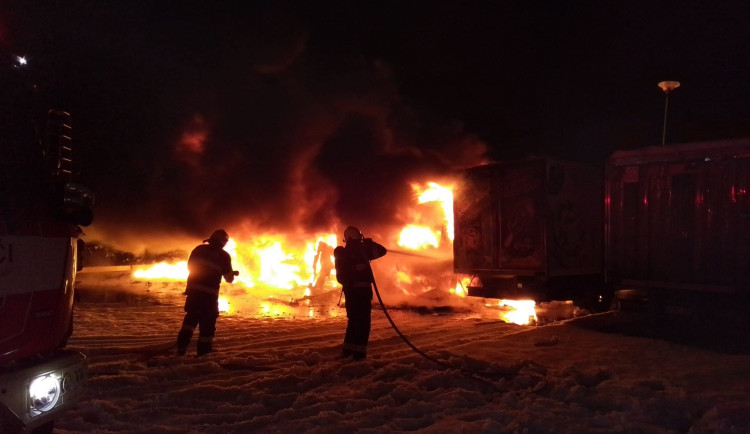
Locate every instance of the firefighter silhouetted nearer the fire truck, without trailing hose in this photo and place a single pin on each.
(208, 263)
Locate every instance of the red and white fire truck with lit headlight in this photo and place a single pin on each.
(41, 212)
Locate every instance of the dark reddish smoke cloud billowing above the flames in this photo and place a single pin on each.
(280, 136)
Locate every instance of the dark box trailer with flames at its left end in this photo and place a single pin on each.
(531, 229)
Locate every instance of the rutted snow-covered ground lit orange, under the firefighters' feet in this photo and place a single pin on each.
(280, 372)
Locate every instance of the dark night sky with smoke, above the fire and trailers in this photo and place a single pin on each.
(310, 114)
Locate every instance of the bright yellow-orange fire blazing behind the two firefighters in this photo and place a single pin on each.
(286, 274)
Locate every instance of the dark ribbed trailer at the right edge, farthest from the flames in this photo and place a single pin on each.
(677, 231)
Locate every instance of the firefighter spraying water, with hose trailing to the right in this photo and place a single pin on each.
(353, 272)
